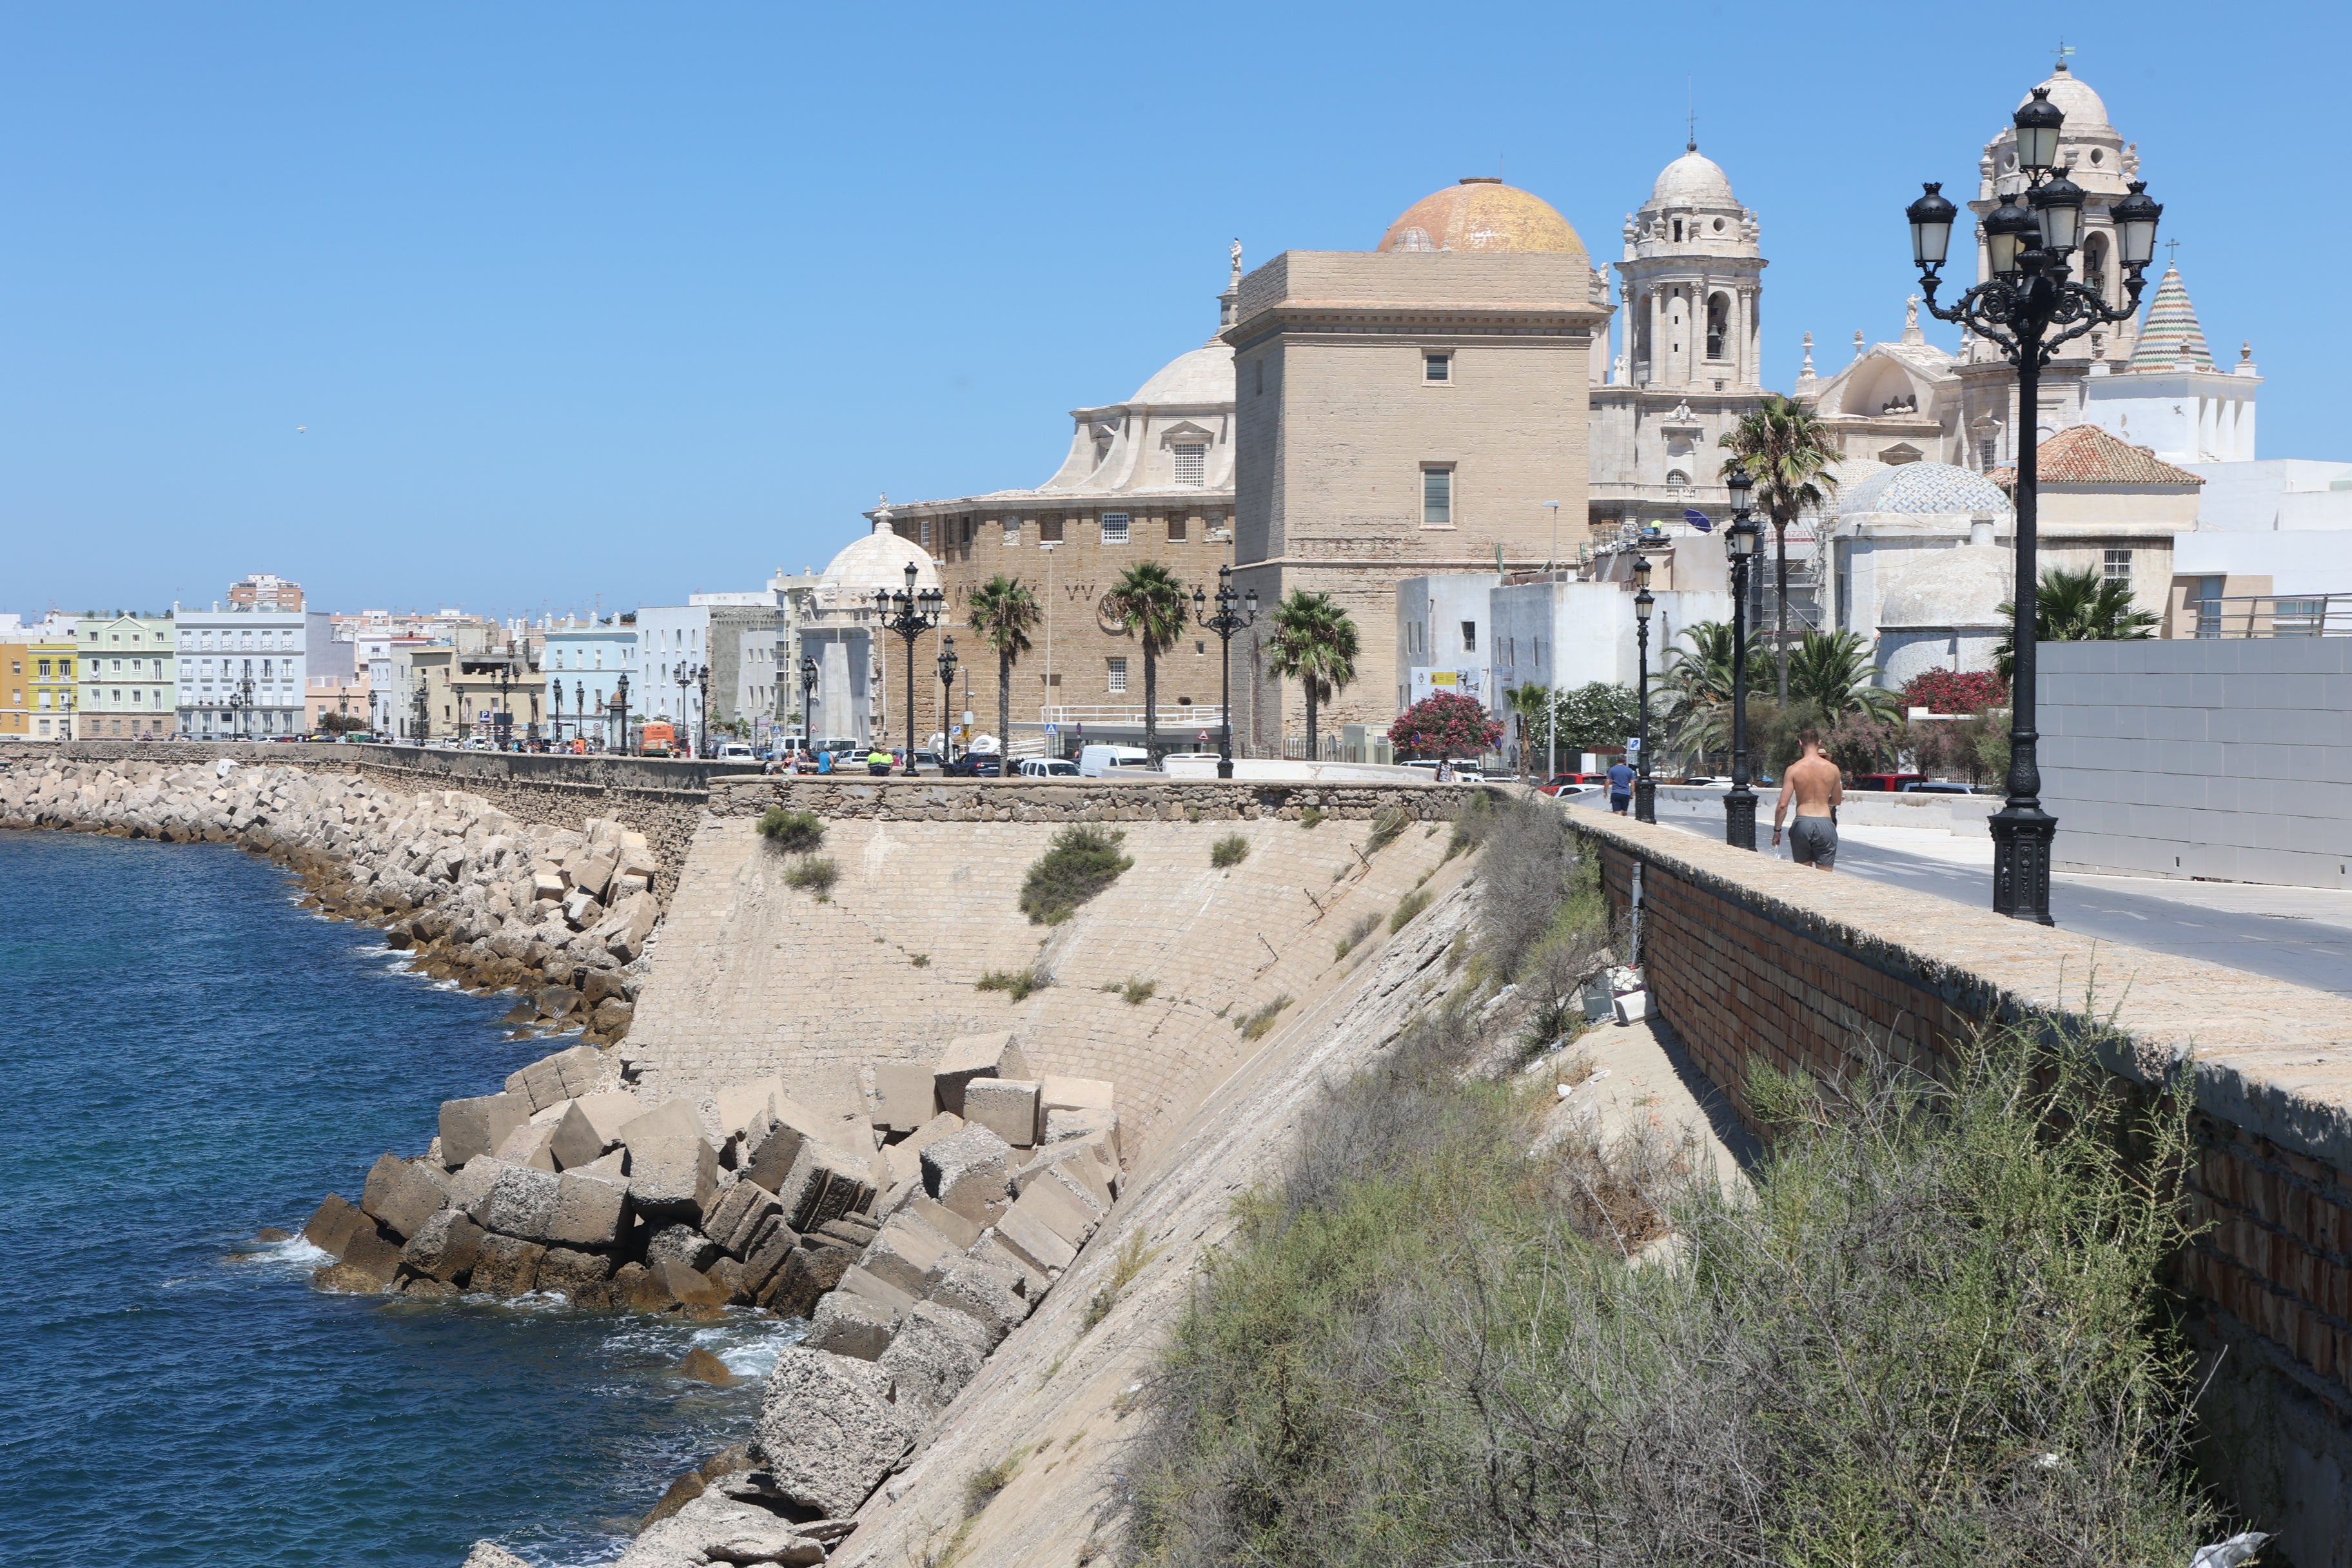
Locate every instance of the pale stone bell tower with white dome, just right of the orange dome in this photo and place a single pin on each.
(1692, 281)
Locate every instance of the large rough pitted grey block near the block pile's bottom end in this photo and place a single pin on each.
(831, 1430)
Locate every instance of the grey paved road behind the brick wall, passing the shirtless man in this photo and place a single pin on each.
(2287, 934)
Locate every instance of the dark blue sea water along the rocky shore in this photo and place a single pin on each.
(192, 1059)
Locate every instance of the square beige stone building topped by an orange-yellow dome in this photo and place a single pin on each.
(1410, 410)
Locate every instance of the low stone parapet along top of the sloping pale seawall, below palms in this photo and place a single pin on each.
(1081, 800)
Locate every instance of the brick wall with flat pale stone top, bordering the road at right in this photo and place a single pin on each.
(1751, 958)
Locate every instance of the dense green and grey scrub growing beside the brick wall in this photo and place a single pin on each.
(1927, 1332)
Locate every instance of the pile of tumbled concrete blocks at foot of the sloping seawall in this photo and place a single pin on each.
(911, 1273)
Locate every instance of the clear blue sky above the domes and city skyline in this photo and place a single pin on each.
(608, 304)
